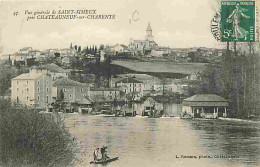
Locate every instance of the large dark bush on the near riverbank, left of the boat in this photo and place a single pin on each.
(32, 139)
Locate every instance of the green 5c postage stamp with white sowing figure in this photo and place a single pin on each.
(238, 21)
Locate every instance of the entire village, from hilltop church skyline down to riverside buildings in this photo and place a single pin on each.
(77, 79)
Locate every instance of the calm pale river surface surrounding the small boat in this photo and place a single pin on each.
(156, 142)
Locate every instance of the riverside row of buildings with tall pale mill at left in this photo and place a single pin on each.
(49, 85)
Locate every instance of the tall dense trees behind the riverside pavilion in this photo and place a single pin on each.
(235, 78)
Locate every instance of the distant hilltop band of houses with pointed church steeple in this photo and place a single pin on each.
(146, 49)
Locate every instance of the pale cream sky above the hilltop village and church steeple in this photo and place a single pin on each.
(175, 23)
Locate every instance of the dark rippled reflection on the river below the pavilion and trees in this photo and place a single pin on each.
(230, 138)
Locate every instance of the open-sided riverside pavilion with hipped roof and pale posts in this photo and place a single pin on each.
(204, 106)
